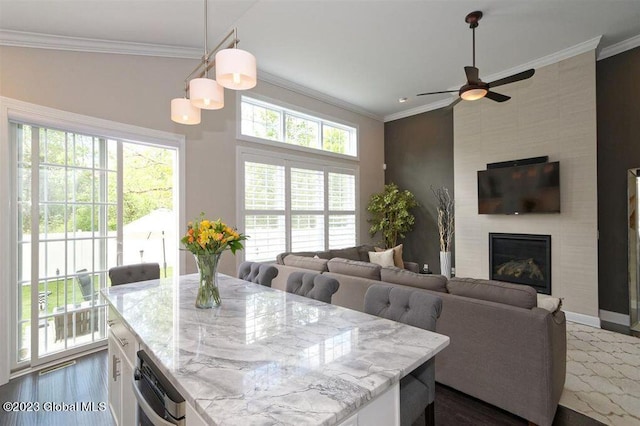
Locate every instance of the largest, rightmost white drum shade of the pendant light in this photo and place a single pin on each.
(236, 69)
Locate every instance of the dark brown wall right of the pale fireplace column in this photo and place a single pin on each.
(618, 91)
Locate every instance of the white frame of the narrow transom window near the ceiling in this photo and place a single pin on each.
(297, 112)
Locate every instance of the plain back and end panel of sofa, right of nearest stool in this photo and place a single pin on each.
(510, 357)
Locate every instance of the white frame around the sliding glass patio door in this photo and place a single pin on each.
(15, 110)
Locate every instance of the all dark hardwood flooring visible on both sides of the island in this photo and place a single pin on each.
(86, 381)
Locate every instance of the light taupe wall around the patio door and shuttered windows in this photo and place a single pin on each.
(137, 90)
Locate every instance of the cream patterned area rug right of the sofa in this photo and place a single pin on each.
(603, 375)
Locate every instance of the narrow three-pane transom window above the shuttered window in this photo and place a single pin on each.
(262, 121)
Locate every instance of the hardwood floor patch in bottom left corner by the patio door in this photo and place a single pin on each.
(78, 386)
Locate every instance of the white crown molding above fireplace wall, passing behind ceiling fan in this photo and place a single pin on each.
(553, 58)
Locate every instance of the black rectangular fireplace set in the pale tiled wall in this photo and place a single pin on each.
(521, 259)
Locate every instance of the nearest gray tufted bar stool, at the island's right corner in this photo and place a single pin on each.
(419, 309)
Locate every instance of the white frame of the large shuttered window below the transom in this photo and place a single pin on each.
(289, 161)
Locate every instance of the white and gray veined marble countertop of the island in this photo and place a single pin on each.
(267, 357)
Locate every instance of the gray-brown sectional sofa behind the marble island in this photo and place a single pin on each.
(504, 349)
